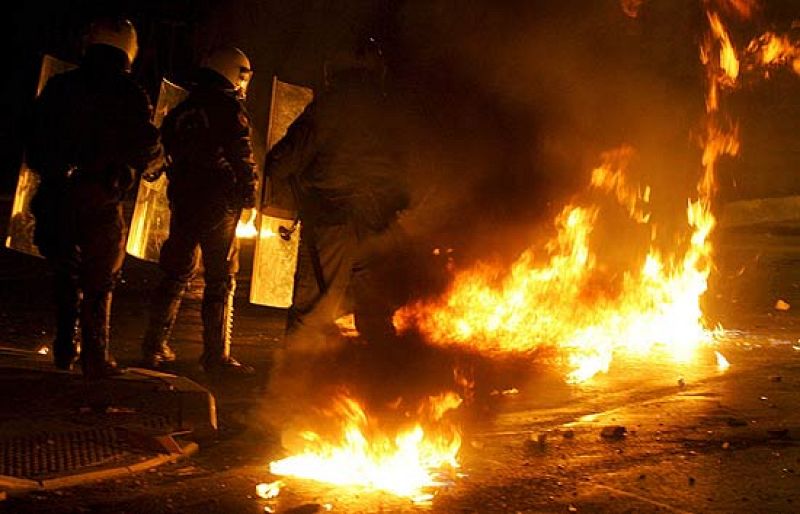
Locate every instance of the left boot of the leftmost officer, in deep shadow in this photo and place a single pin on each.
(65, 345)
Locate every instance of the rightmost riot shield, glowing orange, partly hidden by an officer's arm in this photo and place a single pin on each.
(275, 257)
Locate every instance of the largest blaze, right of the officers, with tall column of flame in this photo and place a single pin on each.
(567, 301)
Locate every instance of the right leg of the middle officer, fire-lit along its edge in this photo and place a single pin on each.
(220, 251)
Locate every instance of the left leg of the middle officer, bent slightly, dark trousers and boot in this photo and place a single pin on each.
(178, 262)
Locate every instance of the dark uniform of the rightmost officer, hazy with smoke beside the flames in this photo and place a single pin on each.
(340, 161)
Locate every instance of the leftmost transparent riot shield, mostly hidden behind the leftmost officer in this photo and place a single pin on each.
(21, 223)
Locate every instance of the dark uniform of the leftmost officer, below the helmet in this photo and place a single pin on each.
(90, 131)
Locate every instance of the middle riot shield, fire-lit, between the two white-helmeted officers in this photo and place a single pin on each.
(150, 221)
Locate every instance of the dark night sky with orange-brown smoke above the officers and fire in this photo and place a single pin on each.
(508, 103)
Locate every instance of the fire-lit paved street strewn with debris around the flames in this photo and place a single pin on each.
(696, 439)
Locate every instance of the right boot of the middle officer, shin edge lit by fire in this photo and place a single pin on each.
(217, 314)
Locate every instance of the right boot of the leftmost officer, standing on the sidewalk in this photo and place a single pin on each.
(95, 316)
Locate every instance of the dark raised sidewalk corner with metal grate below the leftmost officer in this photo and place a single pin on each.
(57, 430)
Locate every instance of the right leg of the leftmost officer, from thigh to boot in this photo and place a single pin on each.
(101, 232)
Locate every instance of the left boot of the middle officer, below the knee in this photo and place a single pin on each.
(164, 307)
